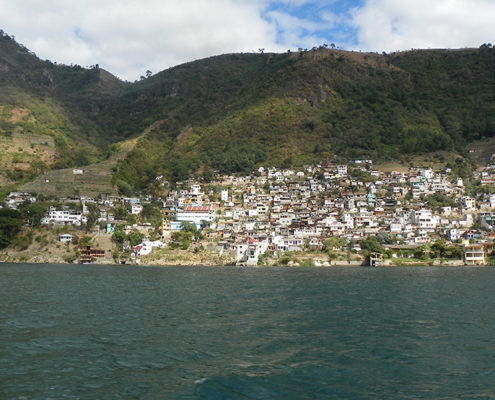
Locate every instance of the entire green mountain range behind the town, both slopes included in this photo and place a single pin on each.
(233, 112)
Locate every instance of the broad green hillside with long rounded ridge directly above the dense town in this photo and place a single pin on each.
(233, 112)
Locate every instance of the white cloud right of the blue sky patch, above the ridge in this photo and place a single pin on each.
(389, 25)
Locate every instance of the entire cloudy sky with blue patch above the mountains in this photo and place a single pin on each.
(128, 37)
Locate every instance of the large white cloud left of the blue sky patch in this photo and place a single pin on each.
(129, 36)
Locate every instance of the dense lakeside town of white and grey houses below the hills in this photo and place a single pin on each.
(326, 214)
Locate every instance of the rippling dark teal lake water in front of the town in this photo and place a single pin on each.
(120, 332)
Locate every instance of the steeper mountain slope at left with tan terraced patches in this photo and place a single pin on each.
(47, 113)
